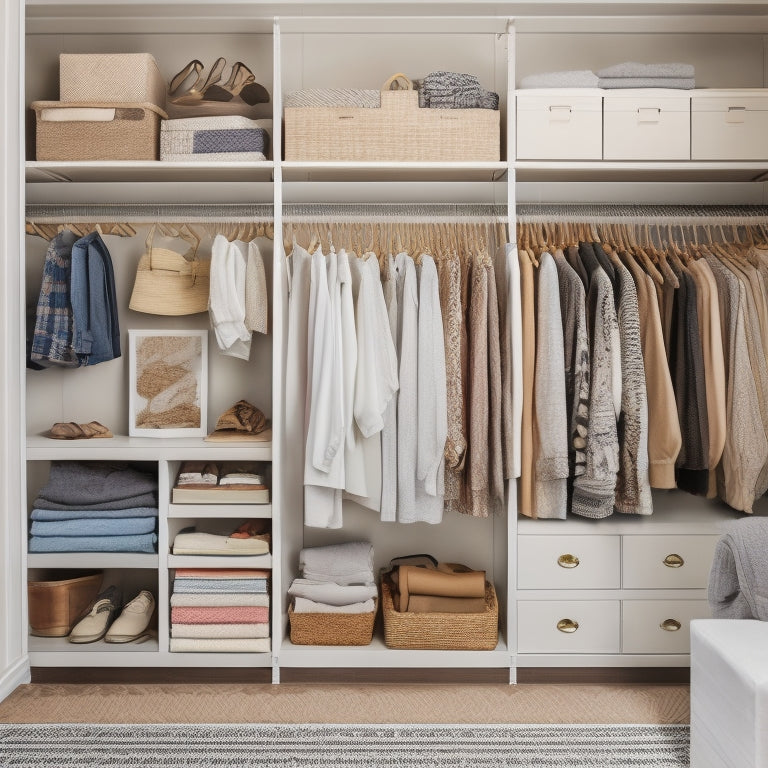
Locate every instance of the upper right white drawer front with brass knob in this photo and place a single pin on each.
(667, 562)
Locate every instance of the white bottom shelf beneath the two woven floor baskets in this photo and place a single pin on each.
(378, 655)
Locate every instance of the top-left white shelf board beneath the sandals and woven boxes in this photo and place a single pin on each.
(95, 171)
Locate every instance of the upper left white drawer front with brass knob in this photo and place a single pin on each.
(568, 562)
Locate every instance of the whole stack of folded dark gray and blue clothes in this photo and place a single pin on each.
(95, 506)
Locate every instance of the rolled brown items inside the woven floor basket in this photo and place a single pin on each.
(422, 585)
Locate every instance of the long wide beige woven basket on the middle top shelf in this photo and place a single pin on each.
(399, 131)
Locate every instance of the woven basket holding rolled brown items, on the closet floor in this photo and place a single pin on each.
(441, 631)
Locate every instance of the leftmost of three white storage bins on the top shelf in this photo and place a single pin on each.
(560, 124)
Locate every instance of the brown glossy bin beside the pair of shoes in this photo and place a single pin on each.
(55, 606)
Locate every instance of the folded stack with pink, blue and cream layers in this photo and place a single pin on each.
(220, 610)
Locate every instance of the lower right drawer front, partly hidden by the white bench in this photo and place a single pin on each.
(659, 626)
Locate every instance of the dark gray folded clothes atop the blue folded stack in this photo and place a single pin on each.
(91, 482)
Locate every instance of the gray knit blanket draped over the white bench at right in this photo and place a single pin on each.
(738, 581)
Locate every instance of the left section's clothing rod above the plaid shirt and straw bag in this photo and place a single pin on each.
(202, 213)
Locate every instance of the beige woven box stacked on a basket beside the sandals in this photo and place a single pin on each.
(127, 77)
